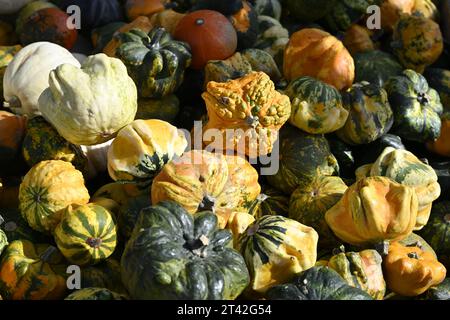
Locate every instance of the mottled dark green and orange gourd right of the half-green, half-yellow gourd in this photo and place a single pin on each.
(370, 114)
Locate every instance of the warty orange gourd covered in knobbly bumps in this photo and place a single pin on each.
(251, 107)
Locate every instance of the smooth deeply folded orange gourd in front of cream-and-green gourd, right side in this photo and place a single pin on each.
(355, 219)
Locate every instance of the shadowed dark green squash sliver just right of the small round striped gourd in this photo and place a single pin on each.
(129, 213)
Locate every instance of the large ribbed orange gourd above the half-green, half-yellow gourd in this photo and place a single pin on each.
(316, 53)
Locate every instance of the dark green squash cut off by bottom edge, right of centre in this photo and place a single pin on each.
(317, 283)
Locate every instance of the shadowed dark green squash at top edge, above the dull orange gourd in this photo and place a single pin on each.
(347, 12)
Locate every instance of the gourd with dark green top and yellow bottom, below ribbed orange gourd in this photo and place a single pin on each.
(316, 106)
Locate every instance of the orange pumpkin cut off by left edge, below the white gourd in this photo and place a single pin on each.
(12, 132)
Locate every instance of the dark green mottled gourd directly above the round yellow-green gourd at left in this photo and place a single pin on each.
(43, 142)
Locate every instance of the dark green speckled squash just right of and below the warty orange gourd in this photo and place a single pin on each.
(303, 156)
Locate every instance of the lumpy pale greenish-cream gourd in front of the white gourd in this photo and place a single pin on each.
(90, 105)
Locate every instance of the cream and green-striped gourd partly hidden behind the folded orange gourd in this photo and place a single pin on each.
(405, 168)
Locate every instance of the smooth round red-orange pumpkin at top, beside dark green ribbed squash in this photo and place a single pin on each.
(210, 35)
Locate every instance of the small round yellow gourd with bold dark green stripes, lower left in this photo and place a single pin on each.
(86, 234)
